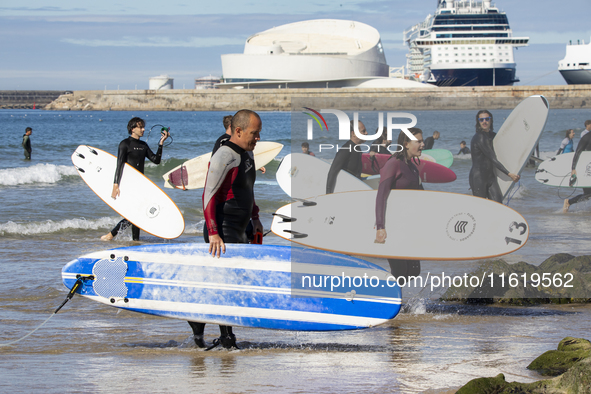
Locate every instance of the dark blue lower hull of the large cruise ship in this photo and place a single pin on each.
(474, 77)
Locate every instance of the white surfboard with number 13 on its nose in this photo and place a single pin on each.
(420, 225)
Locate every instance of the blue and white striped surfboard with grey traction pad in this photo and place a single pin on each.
(265, 286)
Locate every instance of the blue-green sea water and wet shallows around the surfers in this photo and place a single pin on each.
(49, 216)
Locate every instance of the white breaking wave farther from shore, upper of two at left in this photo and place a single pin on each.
(39, 173)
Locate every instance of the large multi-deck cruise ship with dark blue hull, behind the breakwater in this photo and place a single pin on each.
(466, 43)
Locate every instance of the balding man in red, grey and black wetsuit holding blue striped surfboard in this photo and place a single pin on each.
(228, 199)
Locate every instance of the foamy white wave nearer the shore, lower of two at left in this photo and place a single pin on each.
(49, 226)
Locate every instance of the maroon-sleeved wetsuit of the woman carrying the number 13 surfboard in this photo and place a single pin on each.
(397, 174)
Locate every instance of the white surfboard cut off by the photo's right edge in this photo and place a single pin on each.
(556, 171)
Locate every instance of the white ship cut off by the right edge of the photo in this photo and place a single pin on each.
(576, 65)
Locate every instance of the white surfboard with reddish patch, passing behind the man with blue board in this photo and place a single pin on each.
(192, 173)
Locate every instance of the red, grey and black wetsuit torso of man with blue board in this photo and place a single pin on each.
(228, 197)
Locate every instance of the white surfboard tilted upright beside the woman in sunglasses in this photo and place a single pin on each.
(518, 137)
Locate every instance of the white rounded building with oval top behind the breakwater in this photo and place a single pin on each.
(316, 53)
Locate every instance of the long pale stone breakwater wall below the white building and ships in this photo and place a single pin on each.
(430, 98)
